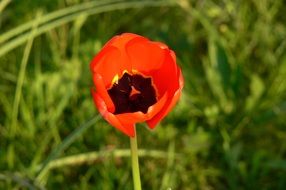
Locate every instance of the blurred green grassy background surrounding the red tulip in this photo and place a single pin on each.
(227, 131)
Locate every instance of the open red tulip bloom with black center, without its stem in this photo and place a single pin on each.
(136, 80)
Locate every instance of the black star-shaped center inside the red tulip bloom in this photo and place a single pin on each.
(132, 93)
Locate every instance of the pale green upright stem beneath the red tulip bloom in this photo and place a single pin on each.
(135, 163)
